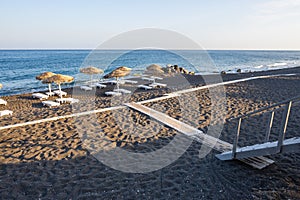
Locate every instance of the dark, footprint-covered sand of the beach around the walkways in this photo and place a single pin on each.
(55, 160)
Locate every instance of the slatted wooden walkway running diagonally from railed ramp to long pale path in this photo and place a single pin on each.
(258, 162)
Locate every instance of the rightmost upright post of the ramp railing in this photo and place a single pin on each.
(284, 122)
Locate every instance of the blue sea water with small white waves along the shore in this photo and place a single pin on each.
(19, 67)
